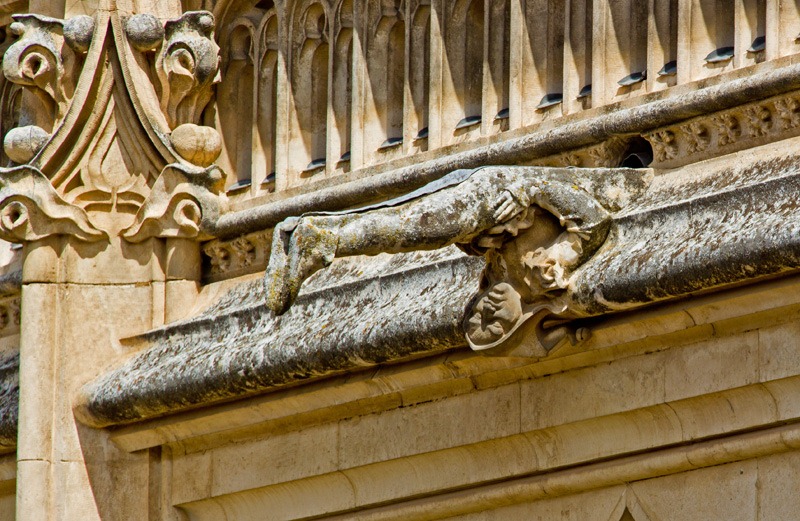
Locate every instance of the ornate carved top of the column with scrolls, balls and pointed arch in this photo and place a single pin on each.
(97, 161)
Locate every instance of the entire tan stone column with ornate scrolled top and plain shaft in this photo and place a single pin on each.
(110, 187)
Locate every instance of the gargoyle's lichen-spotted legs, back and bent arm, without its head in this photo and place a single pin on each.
(456, 214)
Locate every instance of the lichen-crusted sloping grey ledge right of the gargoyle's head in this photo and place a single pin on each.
(731, 225)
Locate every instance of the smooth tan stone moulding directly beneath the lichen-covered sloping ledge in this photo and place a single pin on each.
(719, 316)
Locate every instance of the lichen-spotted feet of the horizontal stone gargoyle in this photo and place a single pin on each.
(299, 249)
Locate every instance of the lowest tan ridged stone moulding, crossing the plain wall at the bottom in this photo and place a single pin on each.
(654, 441)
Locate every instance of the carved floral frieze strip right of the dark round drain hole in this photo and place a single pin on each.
(727, 131)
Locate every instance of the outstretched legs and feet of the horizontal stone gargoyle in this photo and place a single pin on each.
(302, 246)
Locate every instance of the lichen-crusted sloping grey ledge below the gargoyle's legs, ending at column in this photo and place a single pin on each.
(396, 307)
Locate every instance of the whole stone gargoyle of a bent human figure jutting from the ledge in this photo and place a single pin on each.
(535, 226)
